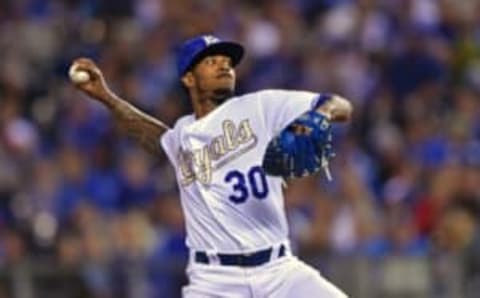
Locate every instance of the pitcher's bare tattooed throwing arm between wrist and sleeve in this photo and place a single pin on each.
(141, 127)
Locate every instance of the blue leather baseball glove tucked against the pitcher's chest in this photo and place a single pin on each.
(302, 149)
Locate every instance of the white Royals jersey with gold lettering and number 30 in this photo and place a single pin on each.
(229, 204)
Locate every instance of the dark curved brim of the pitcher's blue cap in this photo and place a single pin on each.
(230, 49)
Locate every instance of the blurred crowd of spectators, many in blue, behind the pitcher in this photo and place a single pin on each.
(407, 171)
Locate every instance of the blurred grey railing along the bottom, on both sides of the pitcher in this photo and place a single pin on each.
(360, 277)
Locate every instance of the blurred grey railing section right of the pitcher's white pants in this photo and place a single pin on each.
(394, 277)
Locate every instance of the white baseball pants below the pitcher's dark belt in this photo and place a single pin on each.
(285, 277)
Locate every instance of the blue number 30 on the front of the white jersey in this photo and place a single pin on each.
(244, 185)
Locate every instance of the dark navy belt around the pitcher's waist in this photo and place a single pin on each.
(243, 260)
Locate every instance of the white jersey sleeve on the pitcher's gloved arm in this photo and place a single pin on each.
(281, 107)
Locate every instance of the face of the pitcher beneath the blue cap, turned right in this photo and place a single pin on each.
(214, 74)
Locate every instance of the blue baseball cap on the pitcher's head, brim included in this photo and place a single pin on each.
(197, 48)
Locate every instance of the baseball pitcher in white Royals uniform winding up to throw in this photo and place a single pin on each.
(230, 157)
